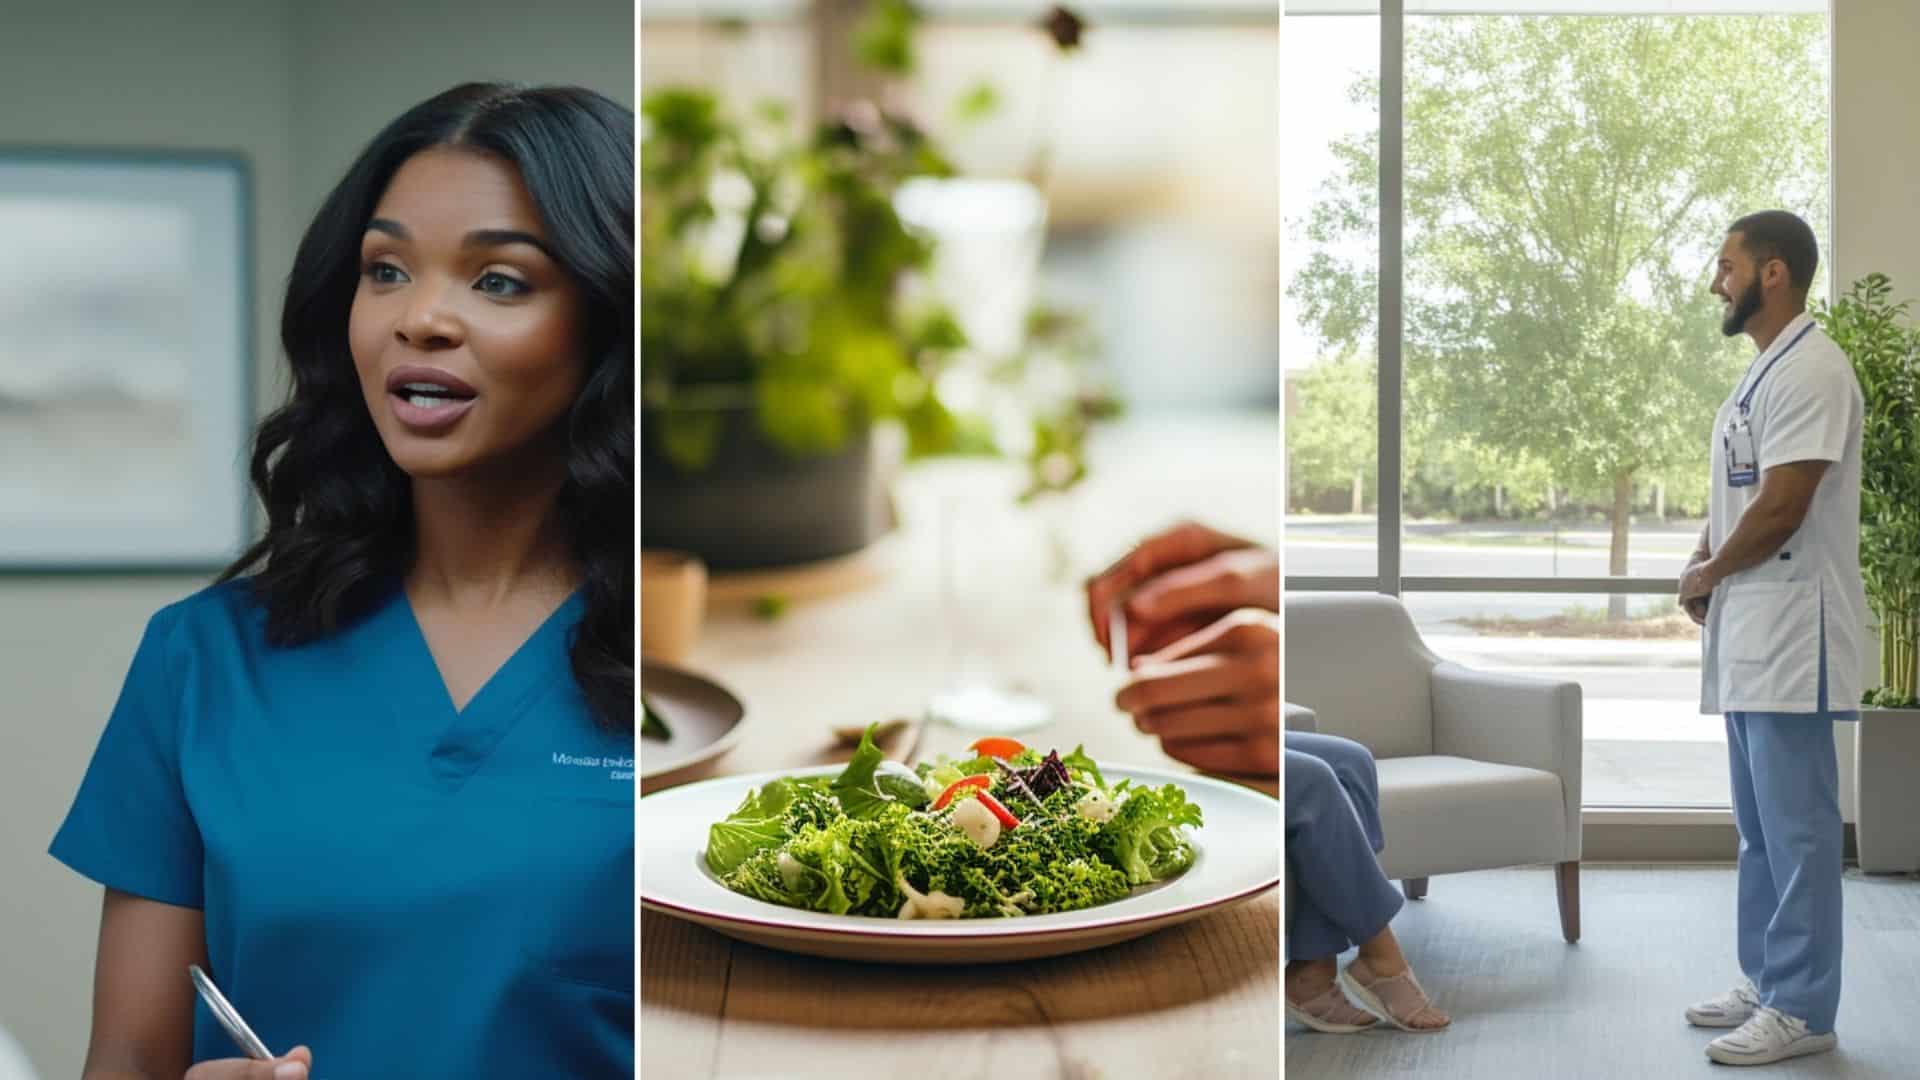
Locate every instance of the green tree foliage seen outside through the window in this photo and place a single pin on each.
(1568, 182)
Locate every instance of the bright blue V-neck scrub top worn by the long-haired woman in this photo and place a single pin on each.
(406, 889)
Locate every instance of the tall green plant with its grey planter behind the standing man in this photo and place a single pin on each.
(1886, 360)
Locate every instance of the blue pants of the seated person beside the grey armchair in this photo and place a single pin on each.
(1333, 833)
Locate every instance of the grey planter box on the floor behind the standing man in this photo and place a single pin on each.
(1886, 818)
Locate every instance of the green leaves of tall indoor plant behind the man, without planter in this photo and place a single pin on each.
(1886, 358)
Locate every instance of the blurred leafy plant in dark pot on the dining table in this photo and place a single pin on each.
(788, 314)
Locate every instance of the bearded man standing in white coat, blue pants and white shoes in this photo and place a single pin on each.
(1777, 585)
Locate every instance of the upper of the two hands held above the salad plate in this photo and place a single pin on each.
(1180, 581)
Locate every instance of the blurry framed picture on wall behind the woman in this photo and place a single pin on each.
(126, 360)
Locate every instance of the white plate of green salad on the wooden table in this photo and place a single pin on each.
(1009, 852)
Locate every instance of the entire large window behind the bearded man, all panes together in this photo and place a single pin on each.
(1570, 174)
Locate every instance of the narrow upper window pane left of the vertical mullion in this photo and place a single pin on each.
(1330, 126)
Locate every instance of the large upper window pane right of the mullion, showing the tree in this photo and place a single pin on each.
(1570, 182)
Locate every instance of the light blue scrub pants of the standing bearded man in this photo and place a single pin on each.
(1787, 804)
